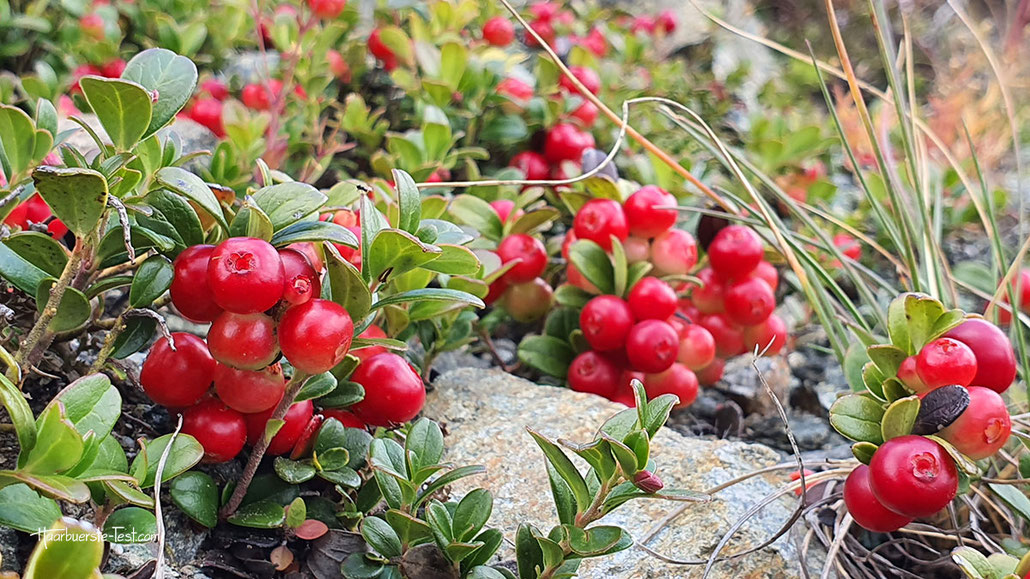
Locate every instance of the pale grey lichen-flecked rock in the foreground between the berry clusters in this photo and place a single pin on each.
(486, 415)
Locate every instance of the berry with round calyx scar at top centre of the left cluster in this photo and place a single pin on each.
(246, 276)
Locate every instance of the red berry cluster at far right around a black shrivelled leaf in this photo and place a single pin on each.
(913, 476)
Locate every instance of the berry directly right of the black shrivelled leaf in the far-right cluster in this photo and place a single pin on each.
(984, 428)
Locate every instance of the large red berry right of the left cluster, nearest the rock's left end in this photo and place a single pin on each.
(394, 392)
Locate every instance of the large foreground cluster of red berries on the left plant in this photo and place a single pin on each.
(263, 302)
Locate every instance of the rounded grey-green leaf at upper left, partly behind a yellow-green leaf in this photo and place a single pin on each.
(173, 77)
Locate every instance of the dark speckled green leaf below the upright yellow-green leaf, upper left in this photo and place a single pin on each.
(79, 197)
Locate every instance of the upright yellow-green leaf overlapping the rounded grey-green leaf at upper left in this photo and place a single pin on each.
(123, 108)
